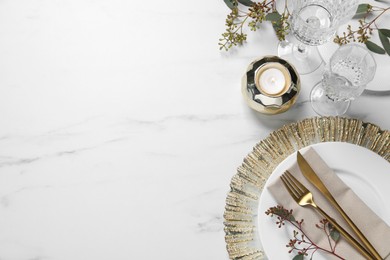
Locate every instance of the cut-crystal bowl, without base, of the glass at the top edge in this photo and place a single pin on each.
(314, 22)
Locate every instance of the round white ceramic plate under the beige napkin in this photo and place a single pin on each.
(364, 171)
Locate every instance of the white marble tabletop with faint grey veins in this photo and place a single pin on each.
(122, 125)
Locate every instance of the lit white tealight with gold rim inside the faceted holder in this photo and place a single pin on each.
(273, 79)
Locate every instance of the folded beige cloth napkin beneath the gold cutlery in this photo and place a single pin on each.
(375, 230)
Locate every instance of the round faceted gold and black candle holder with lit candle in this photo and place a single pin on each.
(270, 85)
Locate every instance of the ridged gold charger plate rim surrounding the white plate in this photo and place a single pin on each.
(241, 225)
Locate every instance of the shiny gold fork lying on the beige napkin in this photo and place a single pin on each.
(305, 198)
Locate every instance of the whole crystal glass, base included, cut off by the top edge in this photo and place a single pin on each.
(312, 23)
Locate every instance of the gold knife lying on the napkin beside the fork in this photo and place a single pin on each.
(310, 174)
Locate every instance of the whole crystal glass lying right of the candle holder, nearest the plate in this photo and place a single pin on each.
(349, 70)
